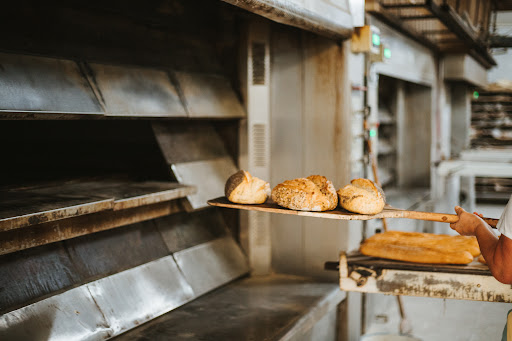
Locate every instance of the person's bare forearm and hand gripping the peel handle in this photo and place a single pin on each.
(496, 251)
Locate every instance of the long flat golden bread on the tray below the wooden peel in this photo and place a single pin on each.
(421, 247)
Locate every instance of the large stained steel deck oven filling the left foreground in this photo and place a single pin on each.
(119, 120)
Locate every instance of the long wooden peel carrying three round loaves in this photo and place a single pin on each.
(341, 214)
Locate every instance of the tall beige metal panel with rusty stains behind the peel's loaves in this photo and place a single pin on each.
(310, 134)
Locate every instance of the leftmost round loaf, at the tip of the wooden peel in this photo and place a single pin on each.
(243, 188)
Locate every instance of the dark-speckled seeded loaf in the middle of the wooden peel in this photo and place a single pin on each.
(314, 193)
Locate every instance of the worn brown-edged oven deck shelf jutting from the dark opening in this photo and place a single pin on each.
(23, 207)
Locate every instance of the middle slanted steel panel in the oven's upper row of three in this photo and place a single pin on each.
(138, 92)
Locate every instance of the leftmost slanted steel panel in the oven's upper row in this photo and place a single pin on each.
(37, 84)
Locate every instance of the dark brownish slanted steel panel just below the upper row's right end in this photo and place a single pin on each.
(182, 142)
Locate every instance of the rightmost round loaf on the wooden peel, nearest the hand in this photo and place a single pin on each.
(362, 196)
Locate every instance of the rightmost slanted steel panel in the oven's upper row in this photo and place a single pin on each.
(209, 96)
